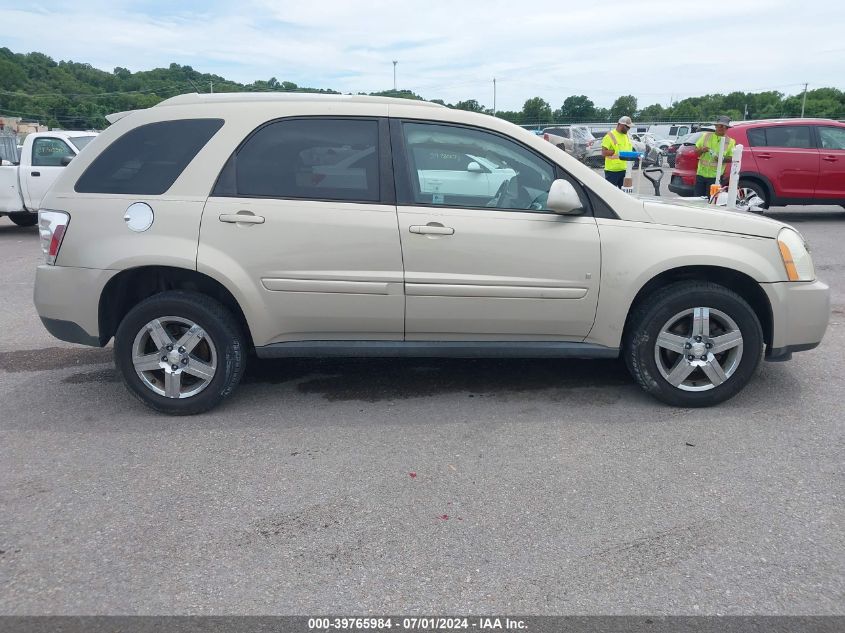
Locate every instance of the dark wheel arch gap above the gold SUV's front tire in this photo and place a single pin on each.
(740, 283)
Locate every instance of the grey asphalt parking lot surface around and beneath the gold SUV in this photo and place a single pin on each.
(419, 486)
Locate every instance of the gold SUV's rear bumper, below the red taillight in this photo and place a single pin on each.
(68, 299)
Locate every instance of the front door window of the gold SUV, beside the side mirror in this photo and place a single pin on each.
(486, 170)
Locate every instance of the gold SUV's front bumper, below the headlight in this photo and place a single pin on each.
(800, 314)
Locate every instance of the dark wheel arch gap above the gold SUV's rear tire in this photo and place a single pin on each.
(129, 287)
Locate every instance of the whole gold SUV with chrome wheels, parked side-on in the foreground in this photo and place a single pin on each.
(208, 226)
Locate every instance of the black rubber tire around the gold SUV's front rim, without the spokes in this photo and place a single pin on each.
(646, 323)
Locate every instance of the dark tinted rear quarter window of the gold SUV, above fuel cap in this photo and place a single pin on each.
(148, 159)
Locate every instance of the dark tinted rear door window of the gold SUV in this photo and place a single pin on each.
(320, 159)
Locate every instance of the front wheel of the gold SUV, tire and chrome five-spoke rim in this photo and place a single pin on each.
(693, 344)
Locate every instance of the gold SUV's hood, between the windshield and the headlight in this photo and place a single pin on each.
(699, 215)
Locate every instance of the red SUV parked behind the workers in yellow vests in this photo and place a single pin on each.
(784, 161)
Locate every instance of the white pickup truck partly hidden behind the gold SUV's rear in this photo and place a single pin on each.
(44, 155)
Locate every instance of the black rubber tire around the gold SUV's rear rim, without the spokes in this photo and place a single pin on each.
(222, 338)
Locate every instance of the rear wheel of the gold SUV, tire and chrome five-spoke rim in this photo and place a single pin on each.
(179, 352)
